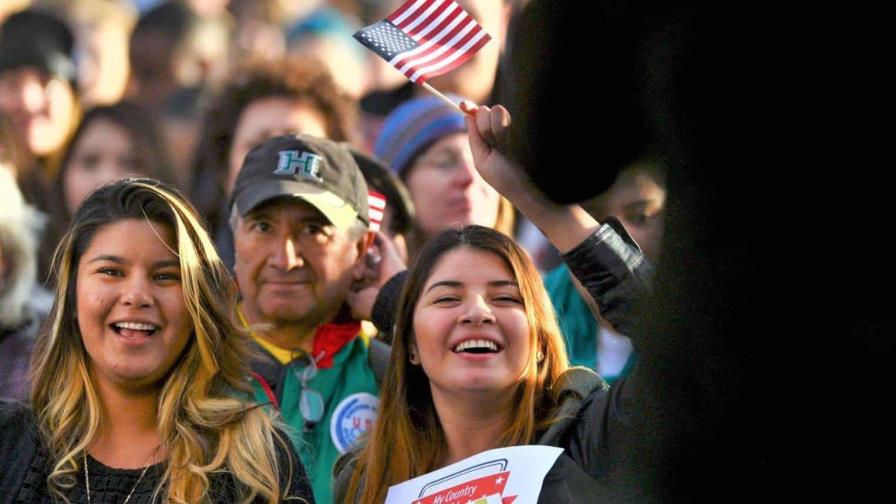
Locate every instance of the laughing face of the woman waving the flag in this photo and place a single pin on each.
(471, 332)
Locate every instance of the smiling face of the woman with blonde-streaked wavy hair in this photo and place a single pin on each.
(130, 304)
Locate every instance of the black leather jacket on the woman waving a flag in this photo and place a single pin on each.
(590, 423)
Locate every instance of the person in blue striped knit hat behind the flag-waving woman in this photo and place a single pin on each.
(424, 142)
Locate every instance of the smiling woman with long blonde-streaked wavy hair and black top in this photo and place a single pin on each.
(139, 388)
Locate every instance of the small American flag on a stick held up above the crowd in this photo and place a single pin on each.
(425, 38)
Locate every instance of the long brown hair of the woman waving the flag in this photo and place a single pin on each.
(408, 440)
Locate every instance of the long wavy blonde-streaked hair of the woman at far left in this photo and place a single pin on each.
(203, 423)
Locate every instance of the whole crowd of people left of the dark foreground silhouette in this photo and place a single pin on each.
(200, 301)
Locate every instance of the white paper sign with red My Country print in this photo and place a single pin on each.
(500, 476)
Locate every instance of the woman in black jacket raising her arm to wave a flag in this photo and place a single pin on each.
(478, 361)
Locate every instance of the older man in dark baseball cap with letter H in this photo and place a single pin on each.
(300, 222)
